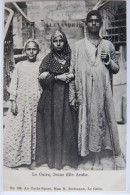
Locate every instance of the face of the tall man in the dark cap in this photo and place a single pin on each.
(94, 24)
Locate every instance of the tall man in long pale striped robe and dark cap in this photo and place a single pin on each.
(93, 61)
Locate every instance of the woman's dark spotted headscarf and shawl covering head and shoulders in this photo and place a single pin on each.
(52, 61)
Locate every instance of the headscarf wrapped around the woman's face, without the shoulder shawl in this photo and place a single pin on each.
(66, 51)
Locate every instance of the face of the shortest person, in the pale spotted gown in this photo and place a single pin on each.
(31, 51)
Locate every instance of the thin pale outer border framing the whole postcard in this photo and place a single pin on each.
(1, 114)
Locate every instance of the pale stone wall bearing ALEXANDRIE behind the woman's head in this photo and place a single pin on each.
(51, 15)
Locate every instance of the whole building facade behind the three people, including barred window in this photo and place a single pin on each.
(39, 19)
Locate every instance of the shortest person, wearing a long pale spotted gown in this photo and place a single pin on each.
(20, 129)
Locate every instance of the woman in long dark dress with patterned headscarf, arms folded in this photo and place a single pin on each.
(56, 122)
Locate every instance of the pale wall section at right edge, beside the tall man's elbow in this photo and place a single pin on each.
(120, 86)
